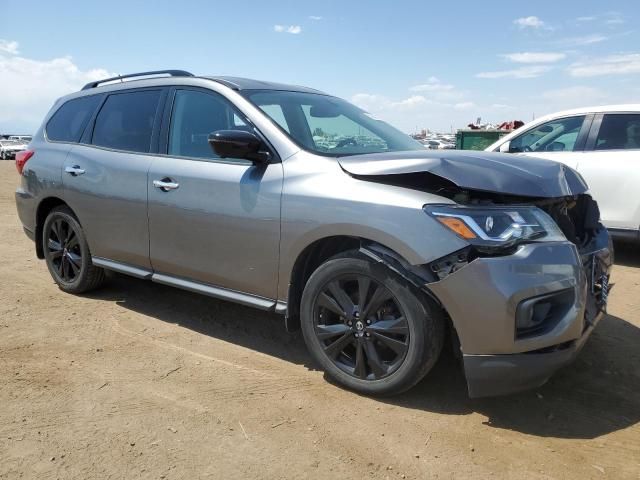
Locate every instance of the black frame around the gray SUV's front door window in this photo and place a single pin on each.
(163, 144)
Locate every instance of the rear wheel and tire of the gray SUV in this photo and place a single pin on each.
(67, 253)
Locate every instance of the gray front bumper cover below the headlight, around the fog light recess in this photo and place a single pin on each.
(500, 284)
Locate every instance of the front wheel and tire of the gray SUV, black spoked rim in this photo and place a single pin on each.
(369, 329)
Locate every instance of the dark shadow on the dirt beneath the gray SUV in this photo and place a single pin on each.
(598, 394)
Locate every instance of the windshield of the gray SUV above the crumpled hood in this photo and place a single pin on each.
(329, 125)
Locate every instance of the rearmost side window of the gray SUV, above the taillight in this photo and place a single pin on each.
(68, 123)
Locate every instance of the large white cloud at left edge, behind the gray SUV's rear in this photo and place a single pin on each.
(34, 85)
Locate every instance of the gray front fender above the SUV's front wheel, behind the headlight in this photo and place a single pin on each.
(320, 201)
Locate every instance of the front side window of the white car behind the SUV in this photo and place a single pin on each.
(559, 135)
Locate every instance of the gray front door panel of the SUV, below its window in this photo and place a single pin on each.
(221, 212)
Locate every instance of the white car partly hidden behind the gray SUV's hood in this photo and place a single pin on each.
(603, 144)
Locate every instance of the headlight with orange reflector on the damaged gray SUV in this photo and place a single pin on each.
(500, 226)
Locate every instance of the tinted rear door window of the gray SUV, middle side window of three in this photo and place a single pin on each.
(125, 121)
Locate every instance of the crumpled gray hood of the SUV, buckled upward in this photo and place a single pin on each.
(475, 170)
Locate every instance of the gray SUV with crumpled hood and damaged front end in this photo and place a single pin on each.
(291, 200)
